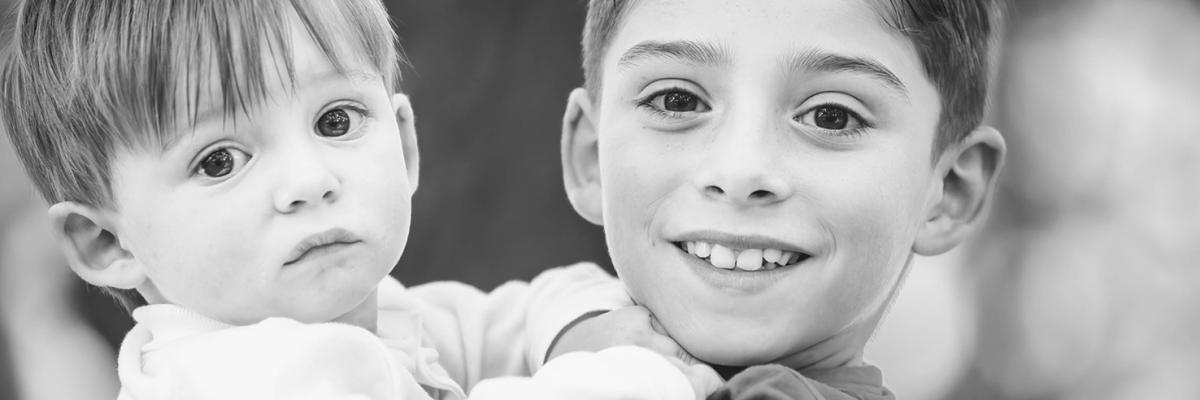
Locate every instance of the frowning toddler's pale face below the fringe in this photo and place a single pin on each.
(297, 208)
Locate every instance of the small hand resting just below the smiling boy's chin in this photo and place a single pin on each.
(628, 326)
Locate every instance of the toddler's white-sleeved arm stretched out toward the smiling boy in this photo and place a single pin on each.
(509, 331)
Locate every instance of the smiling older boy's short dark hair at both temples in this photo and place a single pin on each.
(952, 39)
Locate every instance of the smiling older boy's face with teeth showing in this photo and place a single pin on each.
(733, 135)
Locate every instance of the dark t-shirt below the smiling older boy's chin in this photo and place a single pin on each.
(766, 383)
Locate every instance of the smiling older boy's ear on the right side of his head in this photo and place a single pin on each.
(962, 198)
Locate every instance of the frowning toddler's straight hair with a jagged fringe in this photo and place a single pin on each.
(86, 77)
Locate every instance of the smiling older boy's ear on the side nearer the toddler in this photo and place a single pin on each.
(581, 158)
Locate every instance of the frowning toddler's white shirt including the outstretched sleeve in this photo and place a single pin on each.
(434, 342)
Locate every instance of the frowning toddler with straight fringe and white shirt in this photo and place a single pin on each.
(239, 174)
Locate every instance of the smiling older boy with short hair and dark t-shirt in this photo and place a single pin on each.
(765, 171)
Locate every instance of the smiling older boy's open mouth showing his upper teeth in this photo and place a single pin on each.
(747, 260)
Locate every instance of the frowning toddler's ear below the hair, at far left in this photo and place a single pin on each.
(93, 249)
